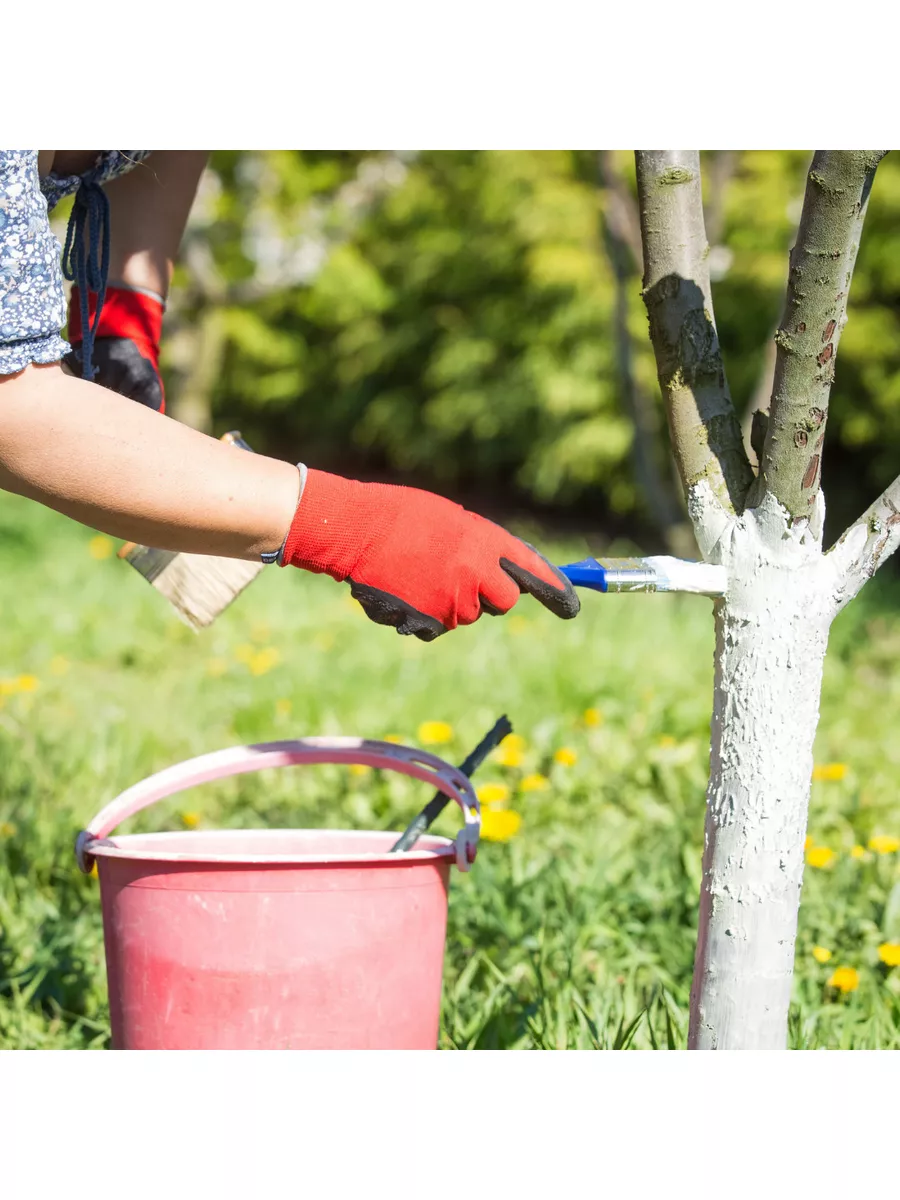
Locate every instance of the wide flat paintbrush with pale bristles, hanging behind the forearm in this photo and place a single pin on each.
(199, 587)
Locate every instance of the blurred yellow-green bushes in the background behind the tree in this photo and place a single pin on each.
(451, 317)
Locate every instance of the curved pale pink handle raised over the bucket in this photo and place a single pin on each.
(241, 760)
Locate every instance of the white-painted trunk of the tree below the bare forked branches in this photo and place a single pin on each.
(772, 632)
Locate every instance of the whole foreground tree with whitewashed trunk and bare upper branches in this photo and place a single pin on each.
(784, 592)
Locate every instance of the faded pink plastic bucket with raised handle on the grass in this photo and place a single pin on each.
(277, 940)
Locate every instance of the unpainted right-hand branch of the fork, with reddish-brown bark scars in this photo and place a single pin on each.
(823, 265)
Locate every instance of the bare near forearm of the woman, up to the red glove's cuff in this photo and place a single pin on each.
(118, 467)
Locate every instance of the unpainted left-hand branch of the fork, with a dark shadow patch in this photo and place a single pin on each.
(706, 435)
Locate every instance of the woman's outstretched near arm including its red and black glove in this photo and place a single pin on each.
(413, 560)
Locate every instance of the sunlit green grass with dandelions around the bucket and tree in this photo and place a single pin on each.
(579, 932)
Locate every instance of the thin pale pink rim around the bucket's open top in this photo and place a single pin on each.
(113, 848)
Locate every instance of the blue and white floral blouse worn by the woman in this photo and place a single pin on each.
(33, 304)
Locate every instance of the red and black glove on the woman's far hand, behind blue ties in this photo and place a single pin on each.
(127, 350)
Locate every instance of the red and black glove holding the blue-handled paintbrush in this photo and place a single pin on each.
(417, 561)
